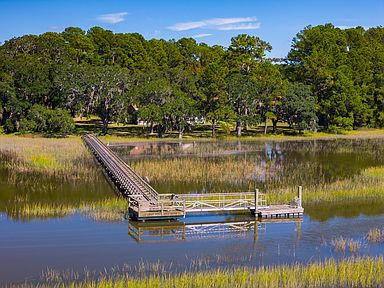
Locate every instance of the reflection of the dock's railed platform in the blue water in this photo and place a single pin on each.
(155, 232)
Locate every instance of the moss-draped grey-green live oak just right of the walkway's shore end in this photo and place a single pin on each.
(102, 90)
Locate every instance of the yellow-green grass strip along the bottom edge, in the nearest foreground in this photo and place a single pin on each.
(351, 272)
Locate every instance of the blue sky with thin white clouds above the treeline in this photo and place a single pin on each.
(211, 21)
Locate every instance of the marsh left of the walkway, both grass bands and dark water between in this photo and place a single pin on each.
(37, 170)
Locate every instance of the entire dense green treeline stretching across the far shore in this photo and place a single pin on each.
(331, 78)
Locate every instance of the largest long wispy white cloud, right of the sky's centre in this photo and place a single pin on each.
(218, 24)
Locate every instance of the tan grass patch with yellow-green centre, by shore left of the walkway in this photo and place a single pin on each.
(63, 158)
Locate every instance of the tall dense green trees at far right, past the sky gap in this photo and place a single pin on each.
(345, 69)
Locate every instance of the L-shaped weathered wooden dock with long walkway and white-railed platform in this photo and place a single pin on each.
(145, 203)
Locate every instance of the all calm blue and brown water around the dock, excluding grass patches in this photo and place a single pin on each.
(75, 243)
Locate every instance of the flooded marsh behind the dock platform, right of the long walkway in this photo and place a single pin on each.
(276, 169)
